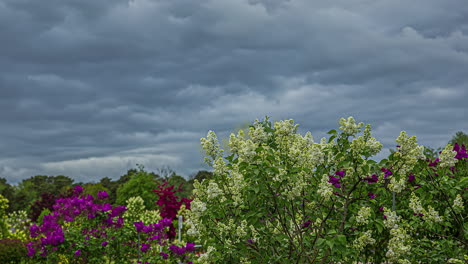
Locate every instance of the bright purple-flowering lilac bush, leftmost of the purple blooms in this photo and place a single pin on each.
(80, 230)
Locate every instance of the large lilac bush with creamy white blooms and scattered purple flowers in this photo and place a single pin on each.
(280, 197)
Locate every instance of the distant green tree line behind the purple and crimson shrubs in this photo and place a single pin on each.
(36, 195)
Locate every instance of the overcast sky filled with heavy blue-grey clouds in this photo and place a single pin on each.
(90, 88)
